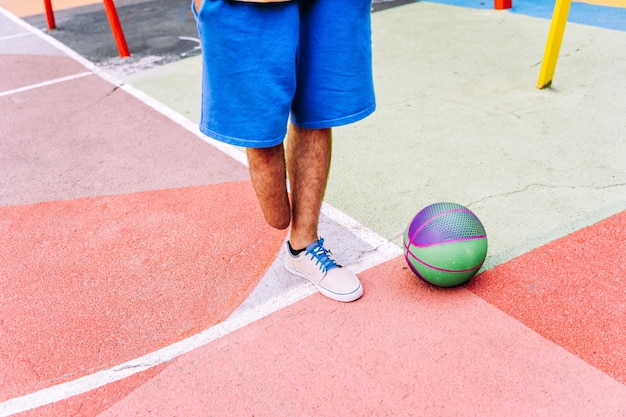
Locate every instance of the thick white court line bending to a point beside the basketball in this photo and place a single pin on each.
(383, 251)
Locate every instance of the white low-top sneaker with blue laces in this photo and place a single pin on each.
(316, 264)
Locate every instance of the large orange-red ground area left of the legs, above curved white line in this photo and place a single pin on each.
(86, 284)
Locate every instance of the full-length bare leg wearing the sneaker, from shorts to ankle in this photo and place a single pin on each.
(308, 162)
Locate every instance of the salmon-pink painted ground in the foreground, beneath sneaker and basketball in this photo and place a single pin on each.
(405, 349)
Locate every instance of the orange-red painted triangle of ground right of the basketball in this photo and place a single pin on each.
(571, 291)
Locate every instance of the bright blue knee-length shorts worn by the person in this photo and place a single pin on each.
(265, 62)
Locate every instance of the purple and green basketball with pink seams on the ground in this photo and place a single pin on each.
(445, 244)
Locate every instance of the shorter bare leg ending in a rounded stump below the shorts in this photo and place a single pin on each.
(267, 169)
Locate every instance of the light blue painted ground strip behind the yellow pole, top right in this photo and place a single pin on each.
(586, 14)
